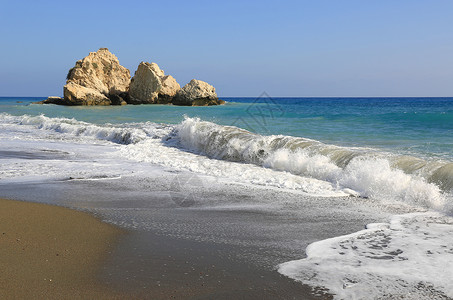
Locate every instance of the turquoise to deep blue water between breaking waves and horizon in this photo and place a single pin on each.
(416, 126)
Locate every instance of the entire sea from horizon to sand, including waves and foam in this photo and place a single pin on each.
(351, 196)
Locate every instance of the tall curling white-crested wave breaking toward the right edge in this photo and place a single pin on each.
(369, 172)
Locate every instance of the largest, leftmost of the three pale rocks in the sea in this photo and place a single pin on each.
(97, 80)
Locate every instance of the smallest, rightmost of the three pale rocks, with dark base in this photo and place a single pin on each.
(197, 93)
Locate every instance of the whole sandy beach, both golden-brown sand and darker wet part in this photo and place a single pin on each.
(50, 252)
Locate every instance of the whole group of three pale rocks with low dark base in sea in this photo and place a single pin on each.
(99, 79)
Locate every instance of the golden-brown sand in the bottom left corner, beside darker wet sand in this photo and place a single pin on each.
(50, 252)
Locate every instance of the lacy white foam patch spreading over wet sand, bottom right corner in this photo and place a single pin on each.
(409, 258)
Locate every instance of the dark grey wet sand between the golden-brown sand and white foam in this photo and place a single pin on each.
(146, 264)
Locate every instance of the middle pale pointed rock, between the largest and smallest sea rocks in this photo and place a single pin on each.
(150, 85)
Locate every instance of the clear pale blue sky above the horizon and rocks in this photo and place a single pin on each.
(243, 48)
